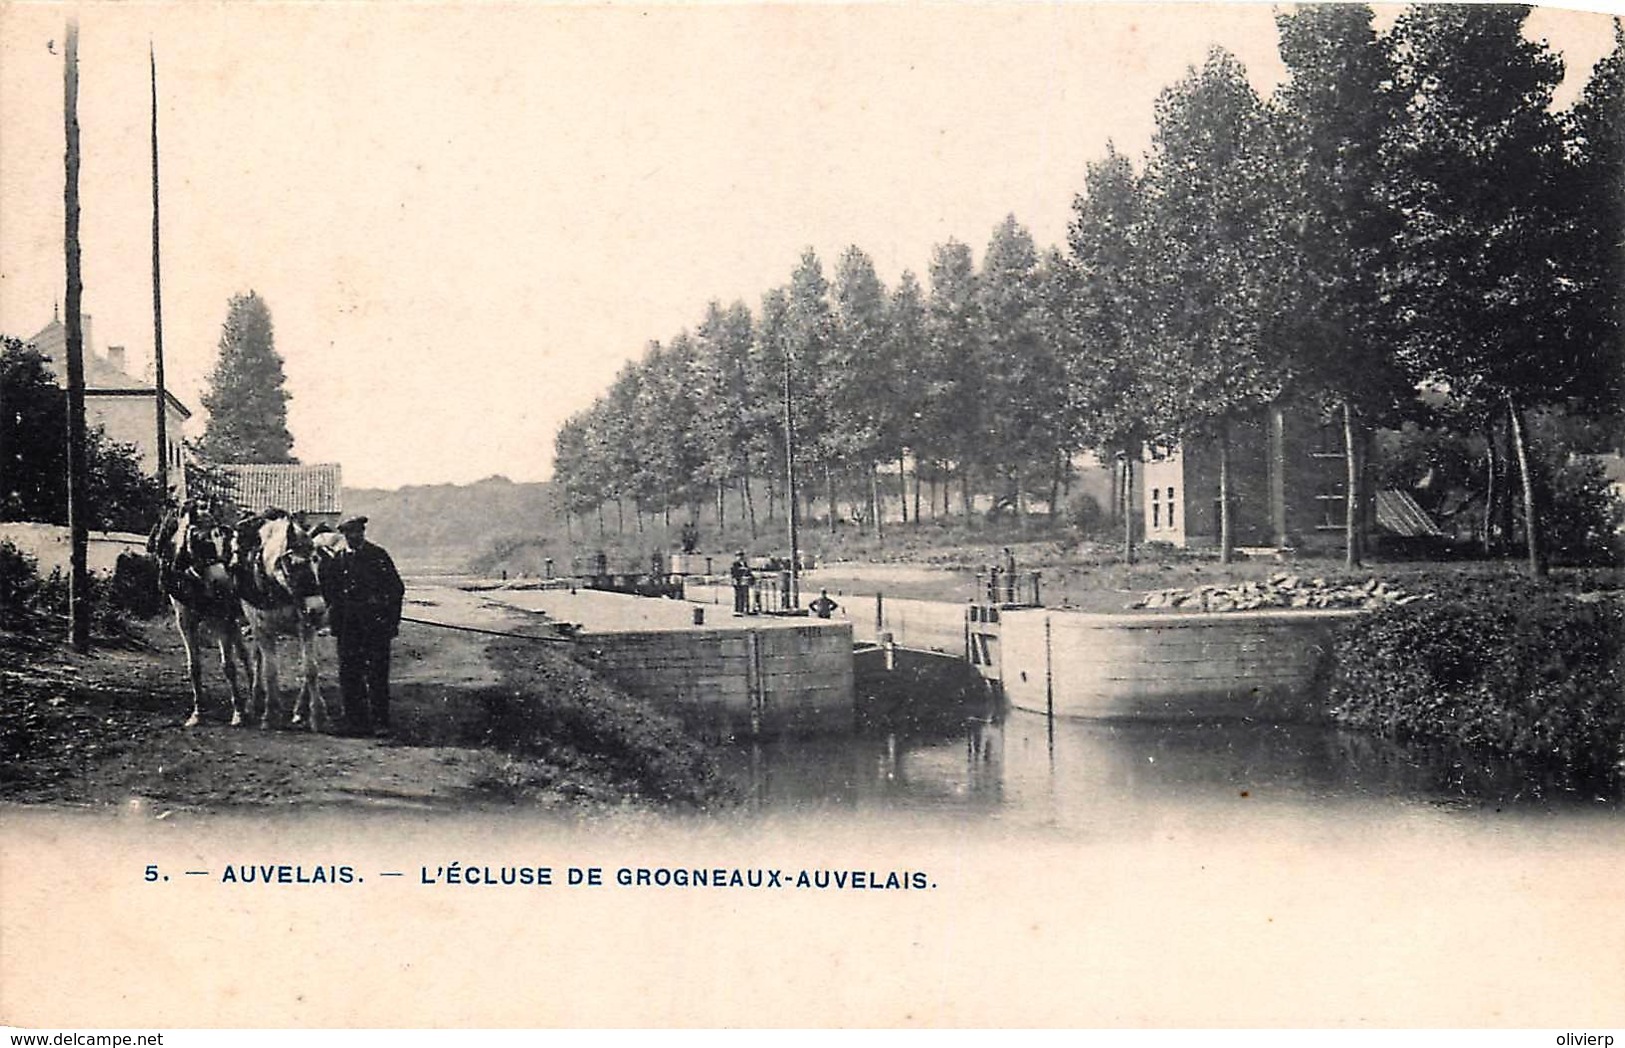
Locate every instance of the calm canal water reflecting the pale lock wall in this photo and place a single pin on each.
(1028, 768)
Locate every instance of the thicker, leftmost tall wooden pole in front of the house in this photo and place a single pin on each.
(79, 511)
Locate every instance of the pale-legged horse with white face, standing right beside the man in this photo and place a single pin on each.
(277, 573)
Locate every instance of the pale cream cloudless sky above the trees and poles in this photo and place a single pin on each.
(467, 219)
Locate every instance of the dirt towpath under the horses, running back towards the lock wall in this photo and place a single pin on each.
(106, 730)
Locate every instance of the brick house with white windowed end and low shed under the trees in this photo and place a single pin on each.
(1288, 488)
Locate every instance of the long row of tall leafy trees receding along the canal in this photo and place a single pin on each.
(1408, 209)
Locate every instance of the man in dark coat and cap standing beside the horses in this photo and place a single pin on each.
(365, 610)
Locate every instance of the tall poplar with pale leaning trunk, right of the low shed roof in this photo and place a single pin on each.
(1489, 287)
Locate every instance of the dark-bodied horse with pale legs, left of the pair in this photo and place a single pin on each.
(194, 558)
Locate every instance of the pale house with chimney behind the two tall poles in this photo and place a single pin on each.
(121, 404)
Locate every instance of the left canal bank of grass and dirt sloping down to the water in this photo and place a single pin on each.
(475, 730)
